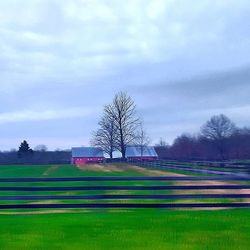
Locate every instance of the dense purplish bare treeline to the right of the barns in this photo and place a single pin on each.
(218, 139)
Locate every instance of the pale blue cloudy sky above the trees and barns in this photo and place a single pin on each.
(182, 61)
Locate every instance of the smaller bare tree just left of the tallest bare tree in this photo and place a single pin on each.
(105, 136)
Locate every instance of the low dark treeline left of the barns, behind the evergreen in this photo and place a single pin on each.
(36, 157)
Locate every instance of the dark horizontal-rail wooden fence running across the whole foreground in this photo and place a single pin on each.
(158, 200)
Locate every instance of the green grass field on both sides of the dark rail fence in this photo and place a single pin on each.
(115, 228)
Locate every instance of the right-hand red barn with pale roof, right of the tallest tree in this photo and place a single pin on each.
(136, 153)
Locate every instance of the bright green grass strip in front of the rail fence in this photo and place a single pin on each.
(140, 229)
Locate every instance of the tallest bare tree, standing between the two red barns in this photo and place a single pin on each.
(123, 112)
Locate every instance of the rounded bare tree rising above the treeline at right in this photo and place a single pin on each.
(217, 130)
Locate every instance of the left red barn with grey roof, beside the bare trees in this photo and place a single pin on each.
(84, 155)
